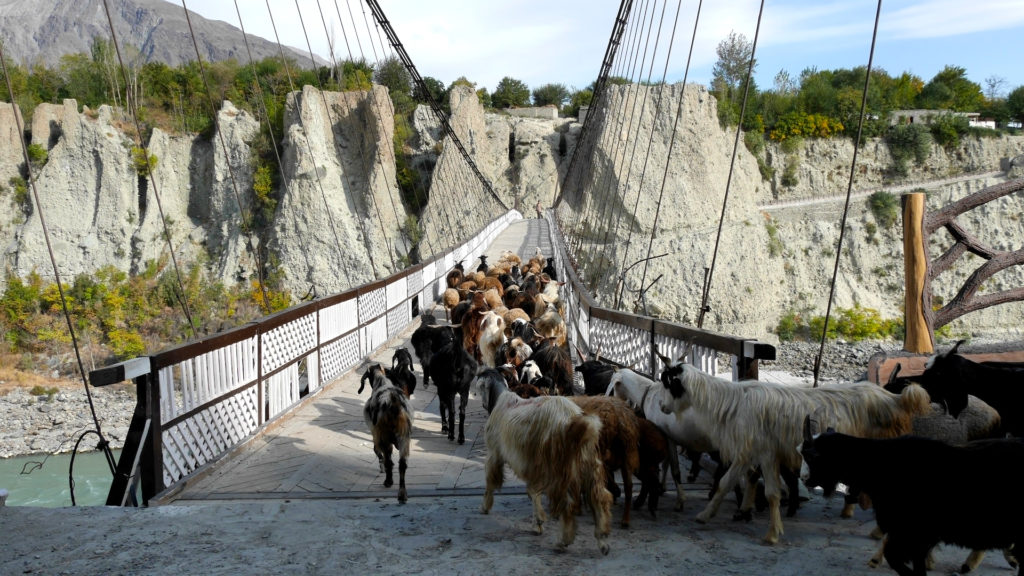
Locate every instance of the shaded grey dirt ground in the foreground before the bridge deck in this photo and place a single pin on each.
(440, 536)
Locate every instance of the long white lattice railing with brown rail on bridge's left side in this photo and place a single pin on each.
(206, 398)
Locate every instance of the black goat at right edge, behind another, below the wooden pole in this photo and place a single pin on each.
(950, 379)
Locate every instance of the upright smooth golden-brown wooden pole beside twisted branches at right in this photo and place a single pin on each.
(919, 336)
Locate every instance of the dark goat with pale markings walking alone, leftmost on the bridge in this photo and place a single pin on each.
(391, 421)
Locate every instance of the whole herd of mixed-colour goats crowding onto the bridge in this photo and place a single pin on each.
(902, 449)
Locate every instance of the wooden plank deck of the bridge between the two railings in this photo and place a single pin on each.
(323, 448)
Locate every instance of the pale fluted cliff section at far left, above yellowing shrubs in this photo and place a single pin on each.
(102, 212)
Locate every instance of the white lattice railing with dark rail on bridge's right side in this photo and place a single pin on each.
(635, 342)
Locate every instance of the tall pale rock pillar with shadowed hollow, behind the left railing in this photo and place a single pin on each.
(339, 221)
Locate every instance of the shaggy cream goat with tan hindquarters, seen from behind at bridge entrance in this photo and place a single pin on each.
(553, 447)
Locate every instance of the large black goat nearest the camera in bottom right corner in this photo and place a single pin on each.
(987, 482)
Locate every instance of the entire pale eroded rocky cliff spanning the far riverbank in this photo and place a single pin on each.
(340, 220)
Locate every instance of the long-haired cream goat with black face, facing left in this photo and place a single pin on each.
(760, 425)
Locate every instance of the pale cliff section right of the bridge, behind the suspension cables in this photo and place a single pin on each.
(777, 260)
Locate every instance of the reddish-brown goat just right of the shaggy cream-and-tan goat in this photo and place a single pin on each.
(619, 443)
